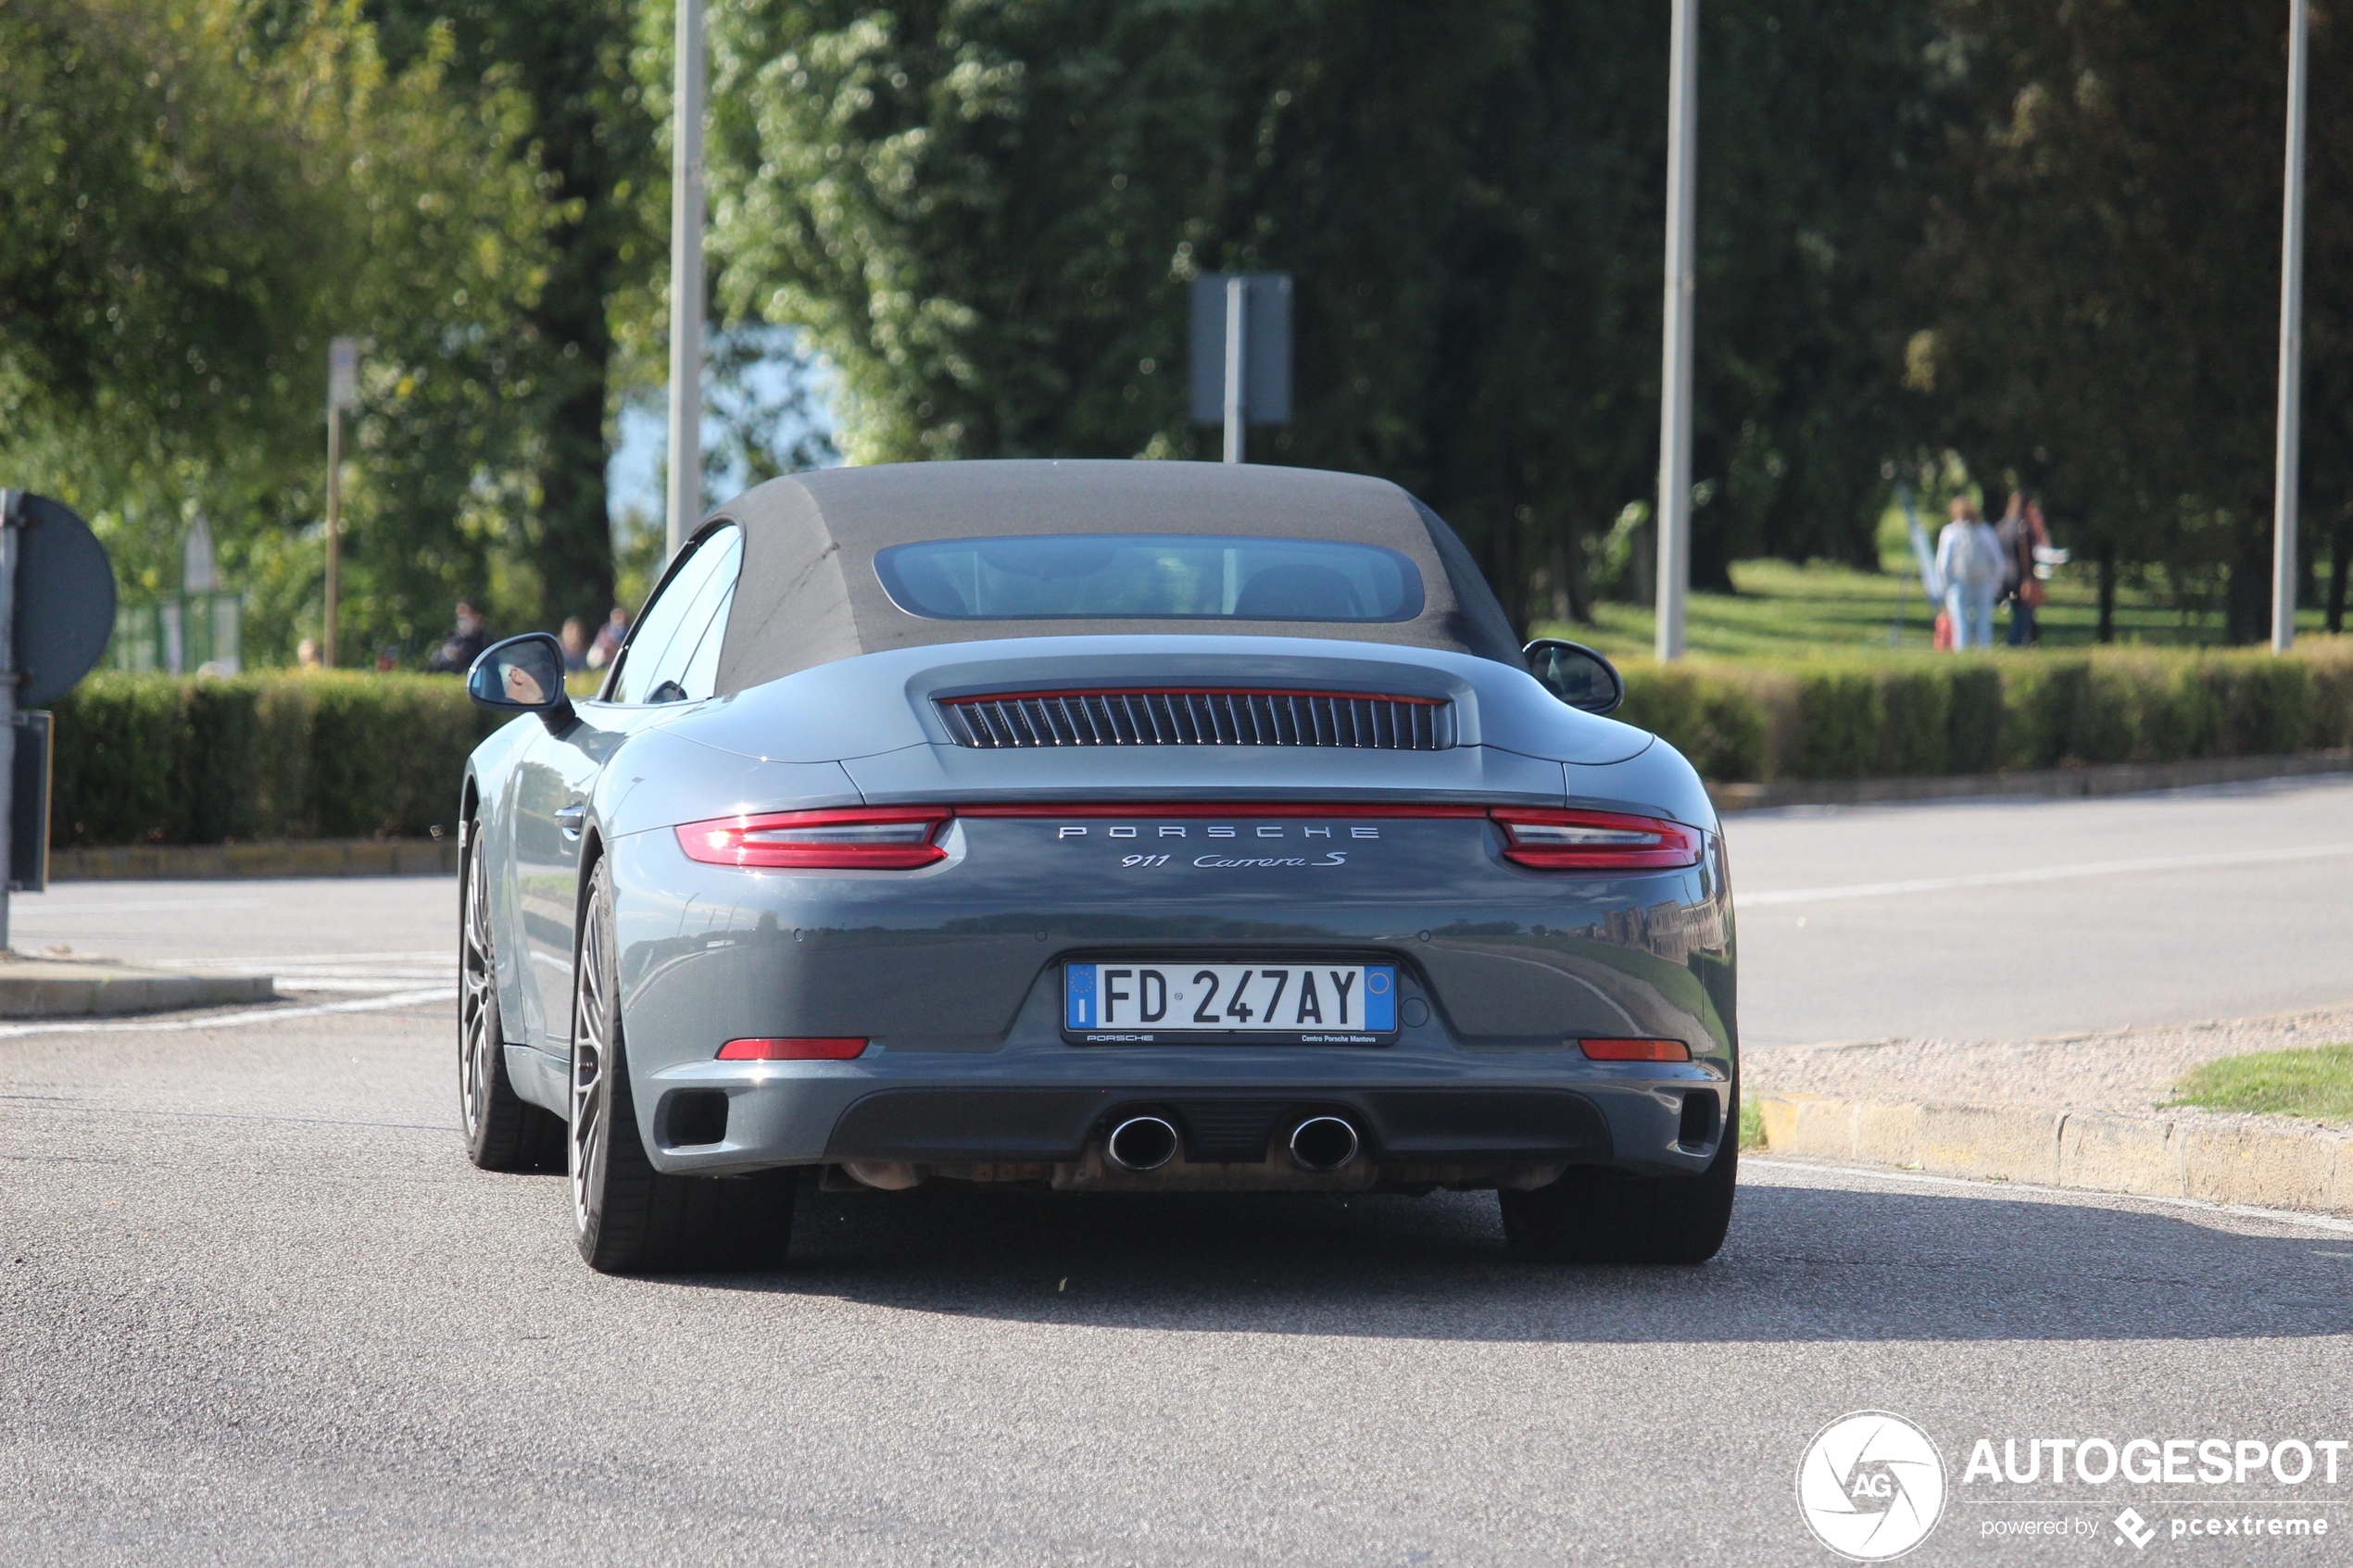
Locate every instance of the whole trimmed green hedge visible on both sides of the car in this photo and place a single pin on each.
(164, 760)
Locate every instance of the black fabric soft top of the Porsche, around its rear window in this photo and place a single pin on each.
(808, 591)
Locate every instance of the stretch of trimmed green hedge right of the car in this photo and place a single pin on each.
(1926, 716)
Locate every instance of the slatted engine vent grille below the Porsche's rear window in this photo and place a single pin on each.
(1201, 718)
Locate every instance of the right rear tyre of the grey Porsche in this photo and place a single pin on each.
(1611, 1217)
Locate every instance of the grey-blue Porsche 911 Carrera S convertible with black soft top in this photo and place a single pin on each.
(1105, 829)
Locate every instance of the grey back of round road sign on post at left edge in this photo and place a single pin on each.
(58, 610)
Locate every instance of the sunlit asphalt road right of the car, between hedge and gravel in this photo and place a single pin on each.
(2018, 920)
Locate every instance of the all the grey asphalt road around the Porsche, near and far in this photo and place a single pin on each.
(255, 1306)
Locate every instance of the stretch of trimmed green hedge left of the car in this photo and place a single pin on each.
(164, 760)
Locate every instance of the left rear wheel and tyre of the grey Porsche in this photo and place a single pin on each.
(627, 1217)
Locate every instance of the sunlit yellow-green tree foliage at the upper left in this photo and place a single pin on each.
(196, 196)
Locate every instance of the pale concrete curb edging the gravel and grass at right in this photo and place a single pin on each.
(2180, 1155)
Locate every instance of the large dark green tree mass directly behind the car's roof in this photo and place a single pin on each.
(987, 217)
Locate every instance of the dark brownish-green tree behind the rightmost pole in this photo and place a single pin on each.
(2102, 276)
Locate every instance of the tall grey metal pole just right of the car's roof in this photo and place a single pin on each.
(1677, 370)
